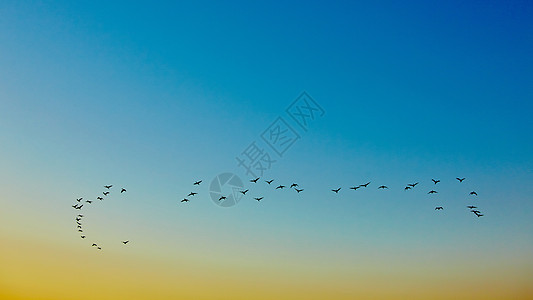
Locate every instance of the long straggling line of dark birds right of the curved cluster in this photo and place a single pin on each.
(295, 186)
